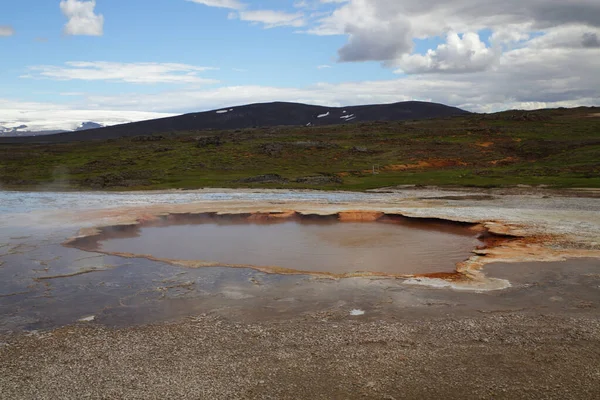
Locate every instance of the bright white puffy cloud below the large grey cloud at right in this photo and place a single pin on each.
(458, 55)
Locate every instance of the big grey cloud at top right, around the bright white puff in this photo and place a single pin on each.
(384, 30)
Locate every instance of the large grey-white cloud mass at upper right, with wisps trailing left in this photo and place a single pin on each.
(385, 30)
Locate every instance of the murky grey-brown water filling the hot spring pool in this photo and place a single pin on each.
(330, 247)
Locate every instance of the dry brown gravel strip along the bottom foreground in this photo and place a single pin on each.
(317, 356)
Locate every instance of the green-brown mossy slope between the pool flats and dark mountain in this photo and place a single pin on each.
(559, 148)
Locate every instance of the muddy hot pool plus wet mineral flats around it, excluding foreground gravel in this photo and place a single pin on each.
(55, 268)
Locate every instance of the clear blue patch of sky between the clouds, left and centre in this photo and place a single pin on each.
(168, 31)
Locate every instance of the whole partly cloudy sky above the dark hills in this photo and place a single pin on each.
(112, 61)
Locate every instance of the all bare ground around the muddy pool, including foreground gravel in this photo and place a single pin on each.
(372, 337)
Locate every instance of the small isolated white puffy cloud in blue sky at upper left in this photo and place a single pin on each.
(81, 18)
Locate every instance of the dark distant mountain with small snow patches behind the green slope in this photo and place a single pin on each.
(259, 115)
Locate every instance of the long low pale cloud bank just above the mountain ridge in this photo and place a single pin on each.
(523, 78)
